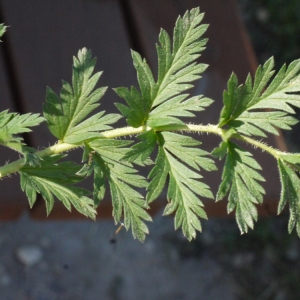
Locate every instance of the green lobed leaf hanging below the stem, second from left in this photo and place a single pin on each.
(122, 179)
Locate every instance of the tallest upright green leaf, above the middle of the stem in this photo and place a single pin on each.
(177, 69)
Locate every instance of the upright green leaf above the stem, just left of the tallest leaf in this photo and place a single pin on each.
(66, 115)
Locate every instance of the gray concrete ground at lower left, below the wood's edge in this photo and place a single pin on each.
(77, 260)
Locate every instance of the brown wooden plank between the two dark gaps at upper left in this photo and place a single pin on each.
(44, 35)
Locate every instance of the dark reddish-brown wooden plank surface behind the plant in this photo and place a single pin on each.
(44, 35)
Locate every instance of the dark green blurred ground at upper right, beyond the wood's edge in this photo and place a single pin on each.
(274, 28)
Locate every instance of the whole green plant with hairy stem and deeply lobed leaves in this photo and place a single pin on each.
(153, 113)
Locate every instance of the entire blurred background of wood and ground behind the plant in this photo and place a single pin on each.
(64, 257)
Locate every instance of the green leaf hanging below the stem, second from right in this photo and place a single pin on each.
(240, 178)
